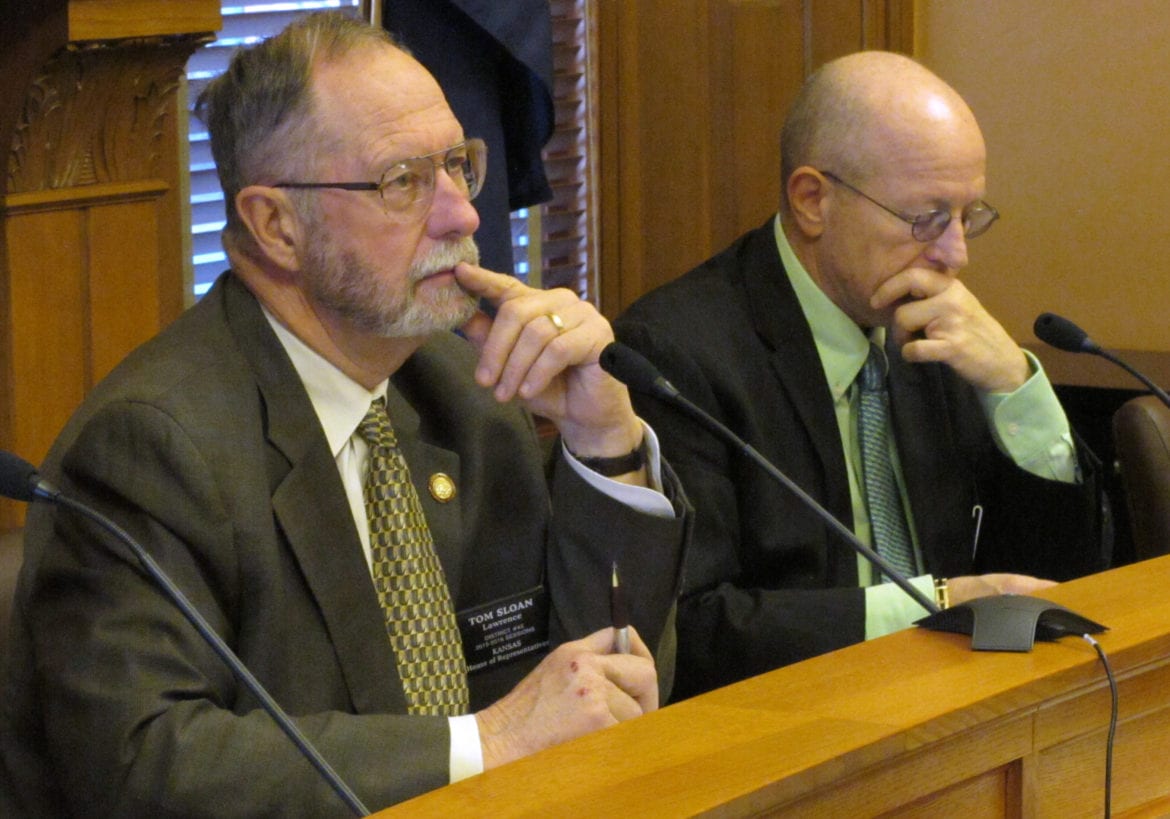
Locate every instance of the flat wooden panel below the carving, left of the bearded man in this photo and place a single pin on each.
(80, 299)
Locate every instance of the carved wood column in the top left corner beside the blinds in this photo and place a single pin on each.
(92, 261)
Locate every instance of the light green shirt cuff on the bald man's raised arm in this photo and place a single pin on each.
(1030, 428)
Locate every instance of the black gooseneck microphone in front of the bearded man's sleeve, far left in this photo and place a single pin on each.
(20, 481)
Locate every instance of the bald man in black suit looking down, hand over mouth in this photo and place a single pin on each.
(884, 170)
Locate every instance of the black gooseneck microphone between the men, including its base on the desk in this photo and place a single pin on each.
(1003, 623)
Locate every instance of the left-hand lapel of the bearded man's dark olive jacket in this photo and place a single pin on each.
(314, 515)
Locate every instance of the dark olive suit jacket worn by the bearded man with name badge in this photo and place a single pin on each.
(205, 448)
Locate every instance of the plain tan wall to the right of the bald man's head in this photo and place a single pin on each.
(1072, 99)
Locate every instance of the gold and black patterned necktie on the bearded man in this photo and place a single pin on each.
(409, 579)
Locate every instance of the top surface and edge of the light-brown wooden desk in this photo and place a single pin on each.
(831, 718)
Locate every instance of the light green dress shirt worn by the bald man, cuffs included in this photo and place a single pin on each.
(1029, 426)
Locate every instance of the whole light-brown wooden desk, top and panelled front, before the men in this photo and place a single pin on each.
(914, 724)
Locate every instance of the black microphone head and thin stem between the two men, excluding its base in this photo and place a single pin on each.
(632, 369)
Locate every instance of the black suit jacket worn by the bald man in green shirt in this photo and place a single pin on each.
(767, 582)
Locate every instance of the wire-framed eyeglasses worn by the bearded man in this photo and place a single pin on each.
(408, 188)
